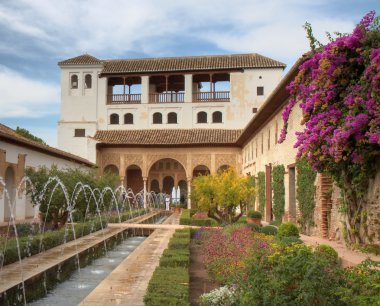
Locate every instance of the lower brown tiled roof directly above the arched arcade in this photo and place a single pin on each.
(168, 137)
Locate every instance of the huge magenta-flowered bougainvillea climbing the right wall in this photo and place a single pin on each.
(338, 88)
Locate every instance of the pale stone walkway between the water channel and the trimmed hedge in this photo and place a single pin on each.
(126, 285)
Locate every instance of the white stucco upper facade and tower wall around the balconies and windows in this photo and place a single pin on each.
(87, 109)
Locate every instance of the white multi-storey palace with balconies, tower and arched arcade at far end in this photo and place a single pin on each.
(158, 122)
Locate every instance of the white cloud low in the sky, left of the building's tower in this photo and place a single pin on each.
(25, 97)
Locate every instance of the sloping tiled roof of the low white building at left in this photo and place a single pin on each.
(10, 135)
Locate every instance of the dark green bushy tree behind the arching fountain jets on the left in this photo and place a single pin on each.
(56, 196)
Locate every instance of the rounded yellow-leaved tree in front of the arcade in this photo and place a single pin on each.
(222, 195)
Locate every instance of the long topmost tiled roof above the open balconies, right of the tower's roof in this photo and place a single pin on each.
(191, 63)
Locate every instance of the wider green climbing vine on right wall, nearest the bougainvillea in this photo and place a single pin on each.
(305, 193)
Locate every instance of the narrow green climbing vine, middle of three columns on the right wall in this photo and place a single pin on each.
(278, 188)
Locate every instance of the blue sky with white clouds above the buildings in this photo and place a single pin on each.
(36, 34)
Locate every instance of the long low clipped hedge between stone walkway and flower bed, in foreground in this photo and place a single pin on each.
(169, 284)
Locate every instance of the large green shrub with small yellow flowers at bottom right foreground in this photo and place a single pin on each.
(293, 275)
